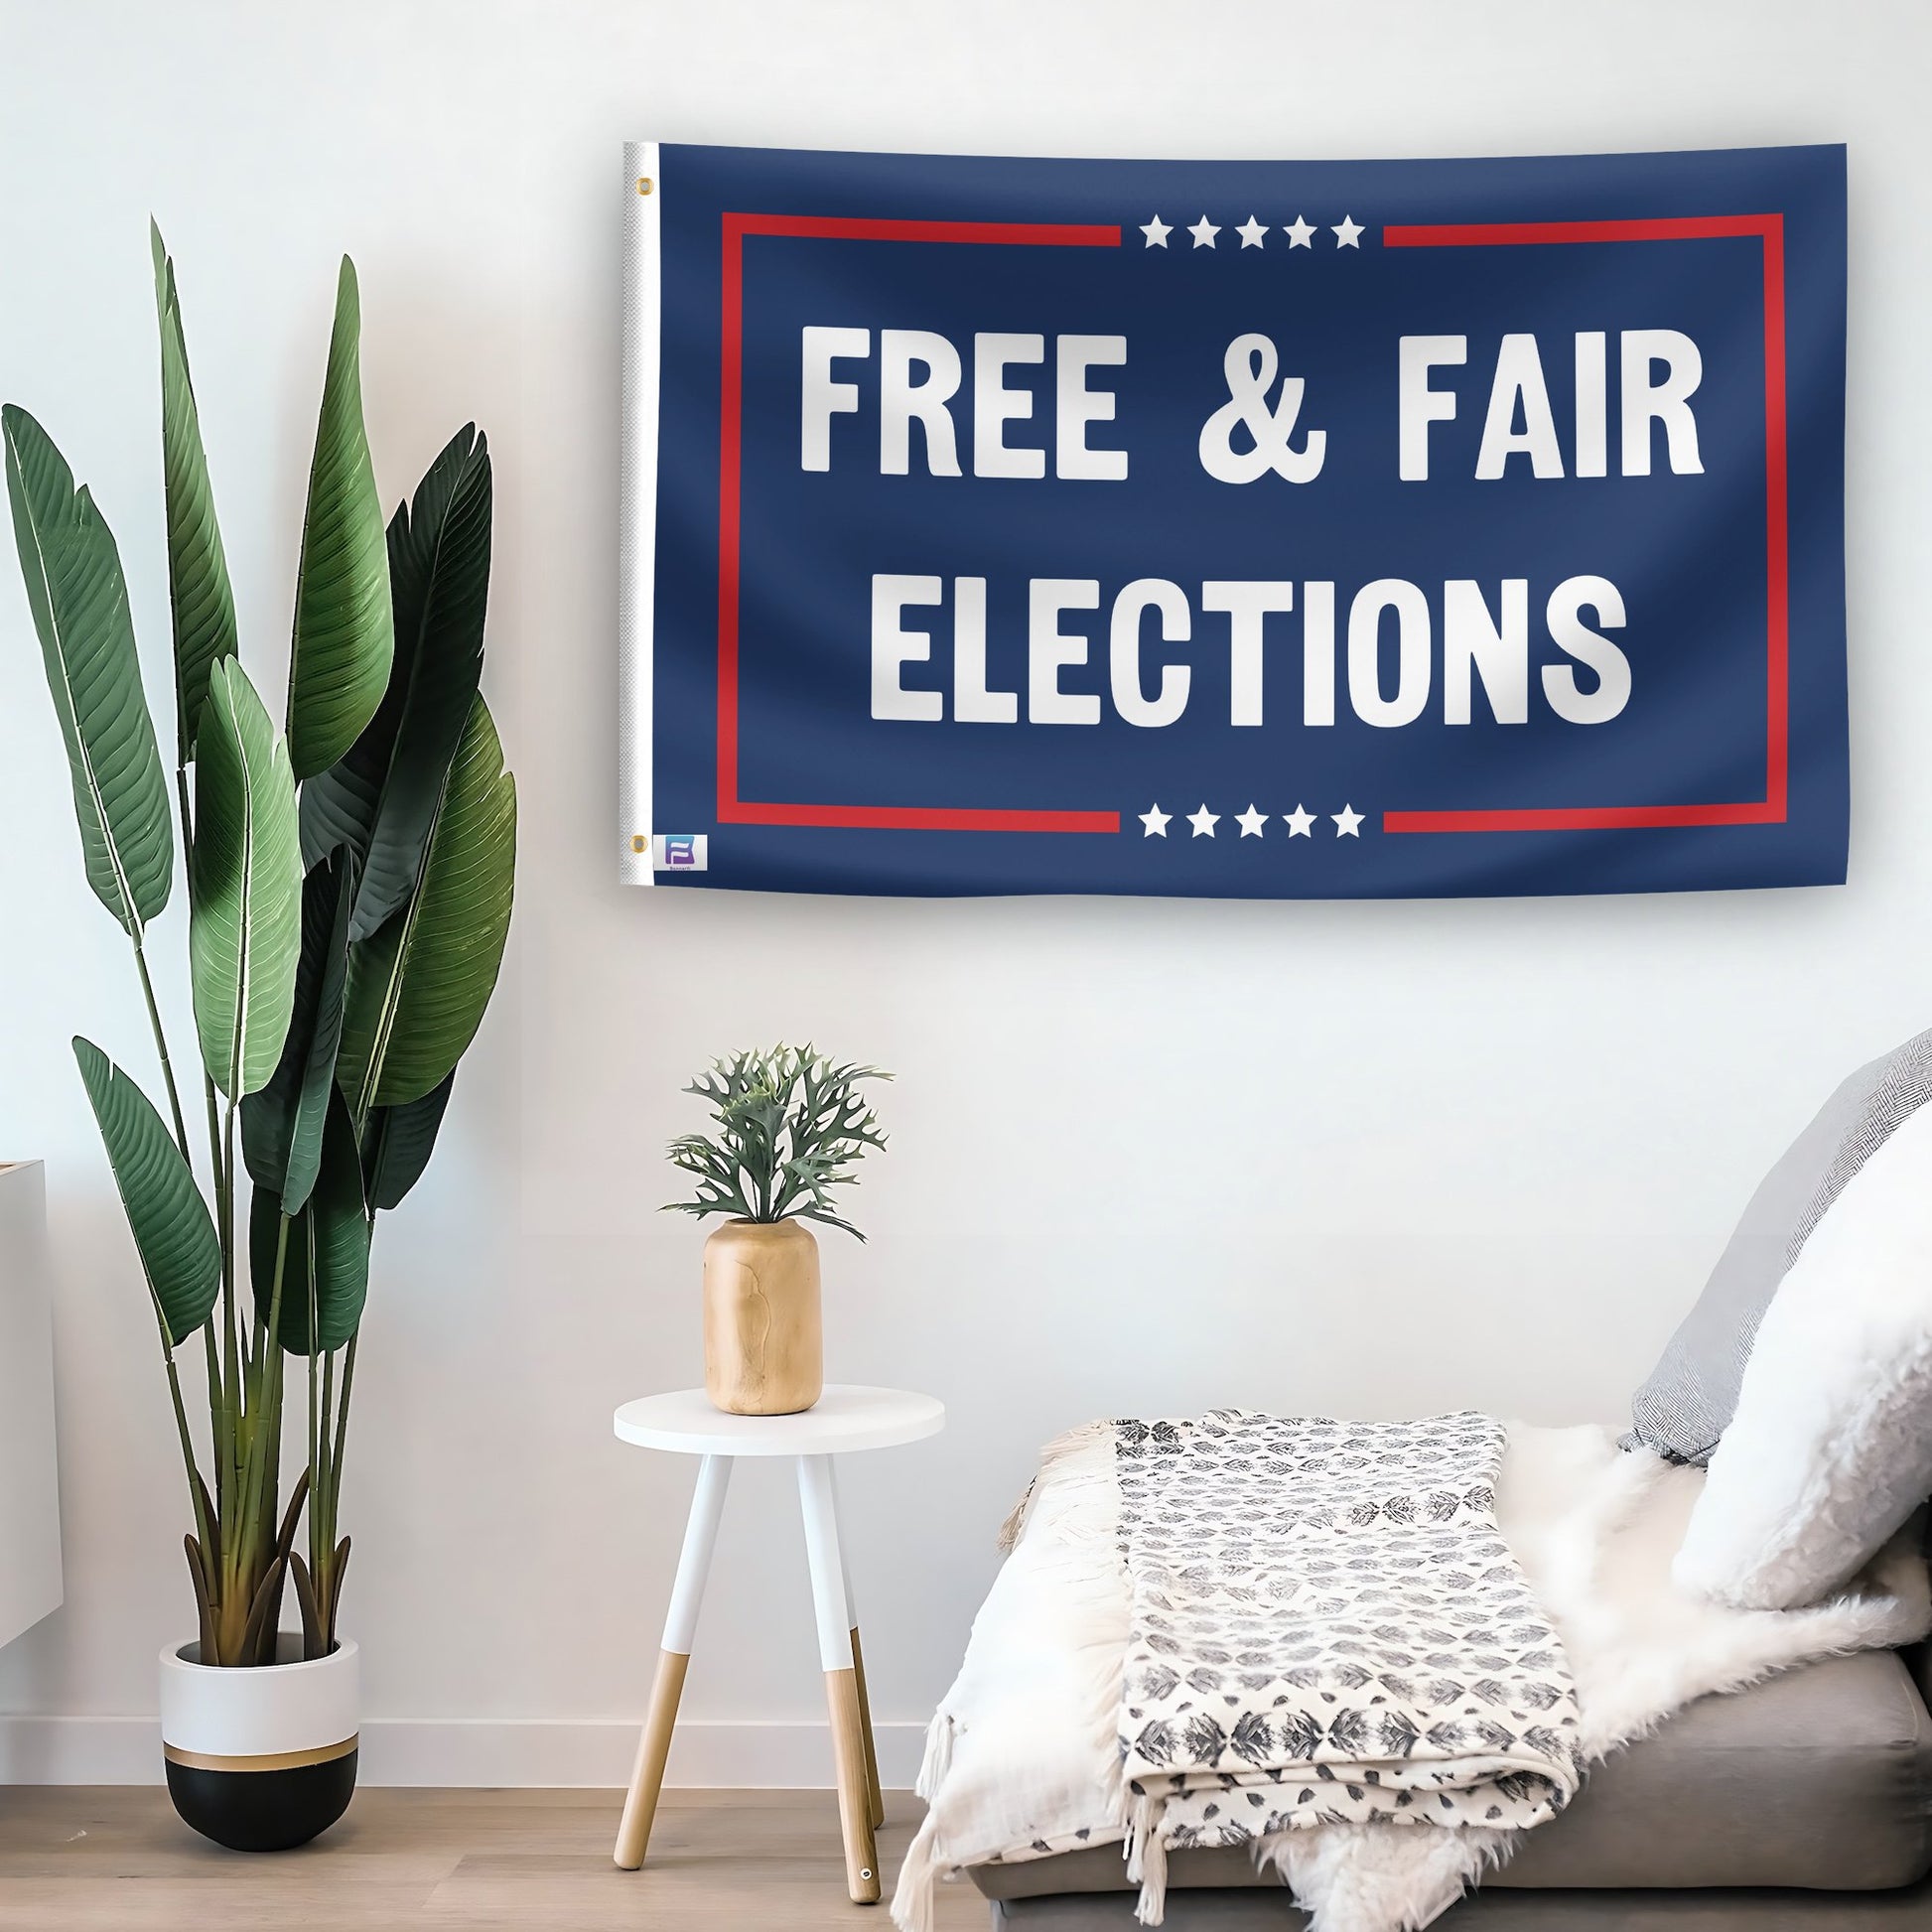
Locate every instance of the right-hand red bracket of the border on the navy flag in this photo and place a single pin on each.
(1769, 810)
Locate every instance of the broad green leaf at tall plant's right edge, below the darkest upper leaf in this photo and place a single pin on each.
(420, 986)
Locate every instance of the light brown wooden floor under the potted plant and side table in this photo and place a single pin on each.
(117, 1860)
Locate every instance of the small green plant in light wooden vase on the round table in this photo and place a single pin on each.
(789, 1129)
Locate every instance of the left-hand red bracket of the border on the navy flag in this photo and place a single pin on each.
(735, 810)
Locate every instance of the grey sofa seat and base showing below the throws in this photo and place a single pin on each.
(1802, 1805)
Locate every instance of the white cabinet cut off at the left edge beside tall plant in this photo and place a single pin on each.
(30, 1498)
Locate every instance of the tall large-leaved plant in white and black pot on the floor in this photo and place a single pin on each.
(349, 897)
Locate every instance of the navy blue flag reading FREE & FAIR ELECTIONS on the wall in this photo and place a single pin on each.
(1264, 530)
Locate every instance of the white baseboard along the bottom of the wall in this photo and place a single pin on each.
(480, 1753)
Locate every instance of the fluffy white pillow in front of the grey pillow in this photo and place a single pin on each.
(1831, 1450)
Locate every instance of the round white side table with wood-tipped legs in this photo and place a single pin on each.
(843, 1421)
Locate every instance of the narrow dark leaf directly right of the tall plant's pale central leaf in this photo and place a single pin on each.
(283, 1123)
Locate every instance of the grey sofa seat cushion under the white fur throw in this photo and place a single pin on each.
(1821, 1778)
